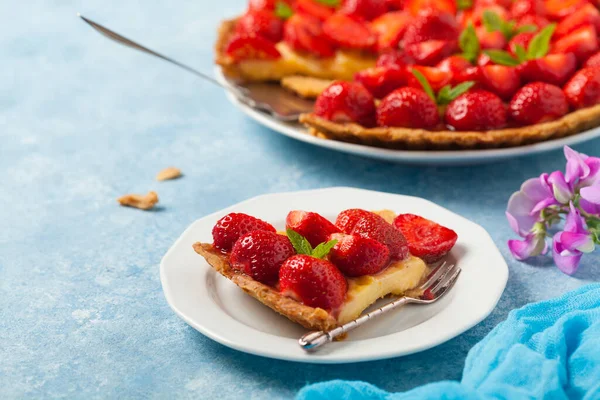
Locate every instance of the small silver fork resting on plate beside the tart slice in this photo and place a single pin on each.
(440, 281)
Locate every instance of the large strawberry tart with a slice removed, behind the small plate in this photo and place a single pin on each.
(426, 74)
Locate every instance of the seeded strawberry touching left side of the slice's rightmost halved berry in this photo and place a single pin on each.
(370, 225)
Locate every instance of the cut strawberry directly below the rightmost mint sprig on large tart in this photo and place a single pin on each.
(553, 68)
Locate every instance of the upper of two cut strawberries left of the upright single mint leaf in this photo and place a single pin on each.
(433, 26)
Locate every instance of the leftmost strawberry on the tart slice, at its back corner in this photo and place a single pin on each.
(231, 227)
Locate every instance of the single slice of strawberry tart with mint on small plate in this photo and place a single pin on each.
(322, 274)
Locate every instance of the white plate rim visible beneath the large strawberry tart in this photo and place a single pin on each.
(437, 157)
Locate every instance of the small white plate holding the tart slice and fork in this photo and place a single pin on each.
(220, 310)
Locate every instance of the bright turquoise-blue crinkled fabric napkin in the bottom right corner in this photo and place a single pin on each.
(546, 350)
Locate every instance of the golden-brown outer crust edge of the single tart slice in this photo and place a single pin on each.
(308, 317)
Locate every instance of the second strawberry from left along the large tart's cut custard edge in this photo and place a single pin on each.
(304, 33)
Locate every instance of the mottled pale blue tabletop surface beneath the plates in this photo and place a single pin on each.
(83, 121)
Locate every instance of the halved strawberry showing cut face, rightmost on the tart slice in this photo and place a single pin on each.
(426, 239)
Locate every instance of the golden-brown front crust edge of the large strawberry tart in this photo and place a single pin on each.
(404, 138)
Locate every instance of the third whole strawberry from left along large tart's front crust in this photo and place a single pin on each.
(476, 111)
